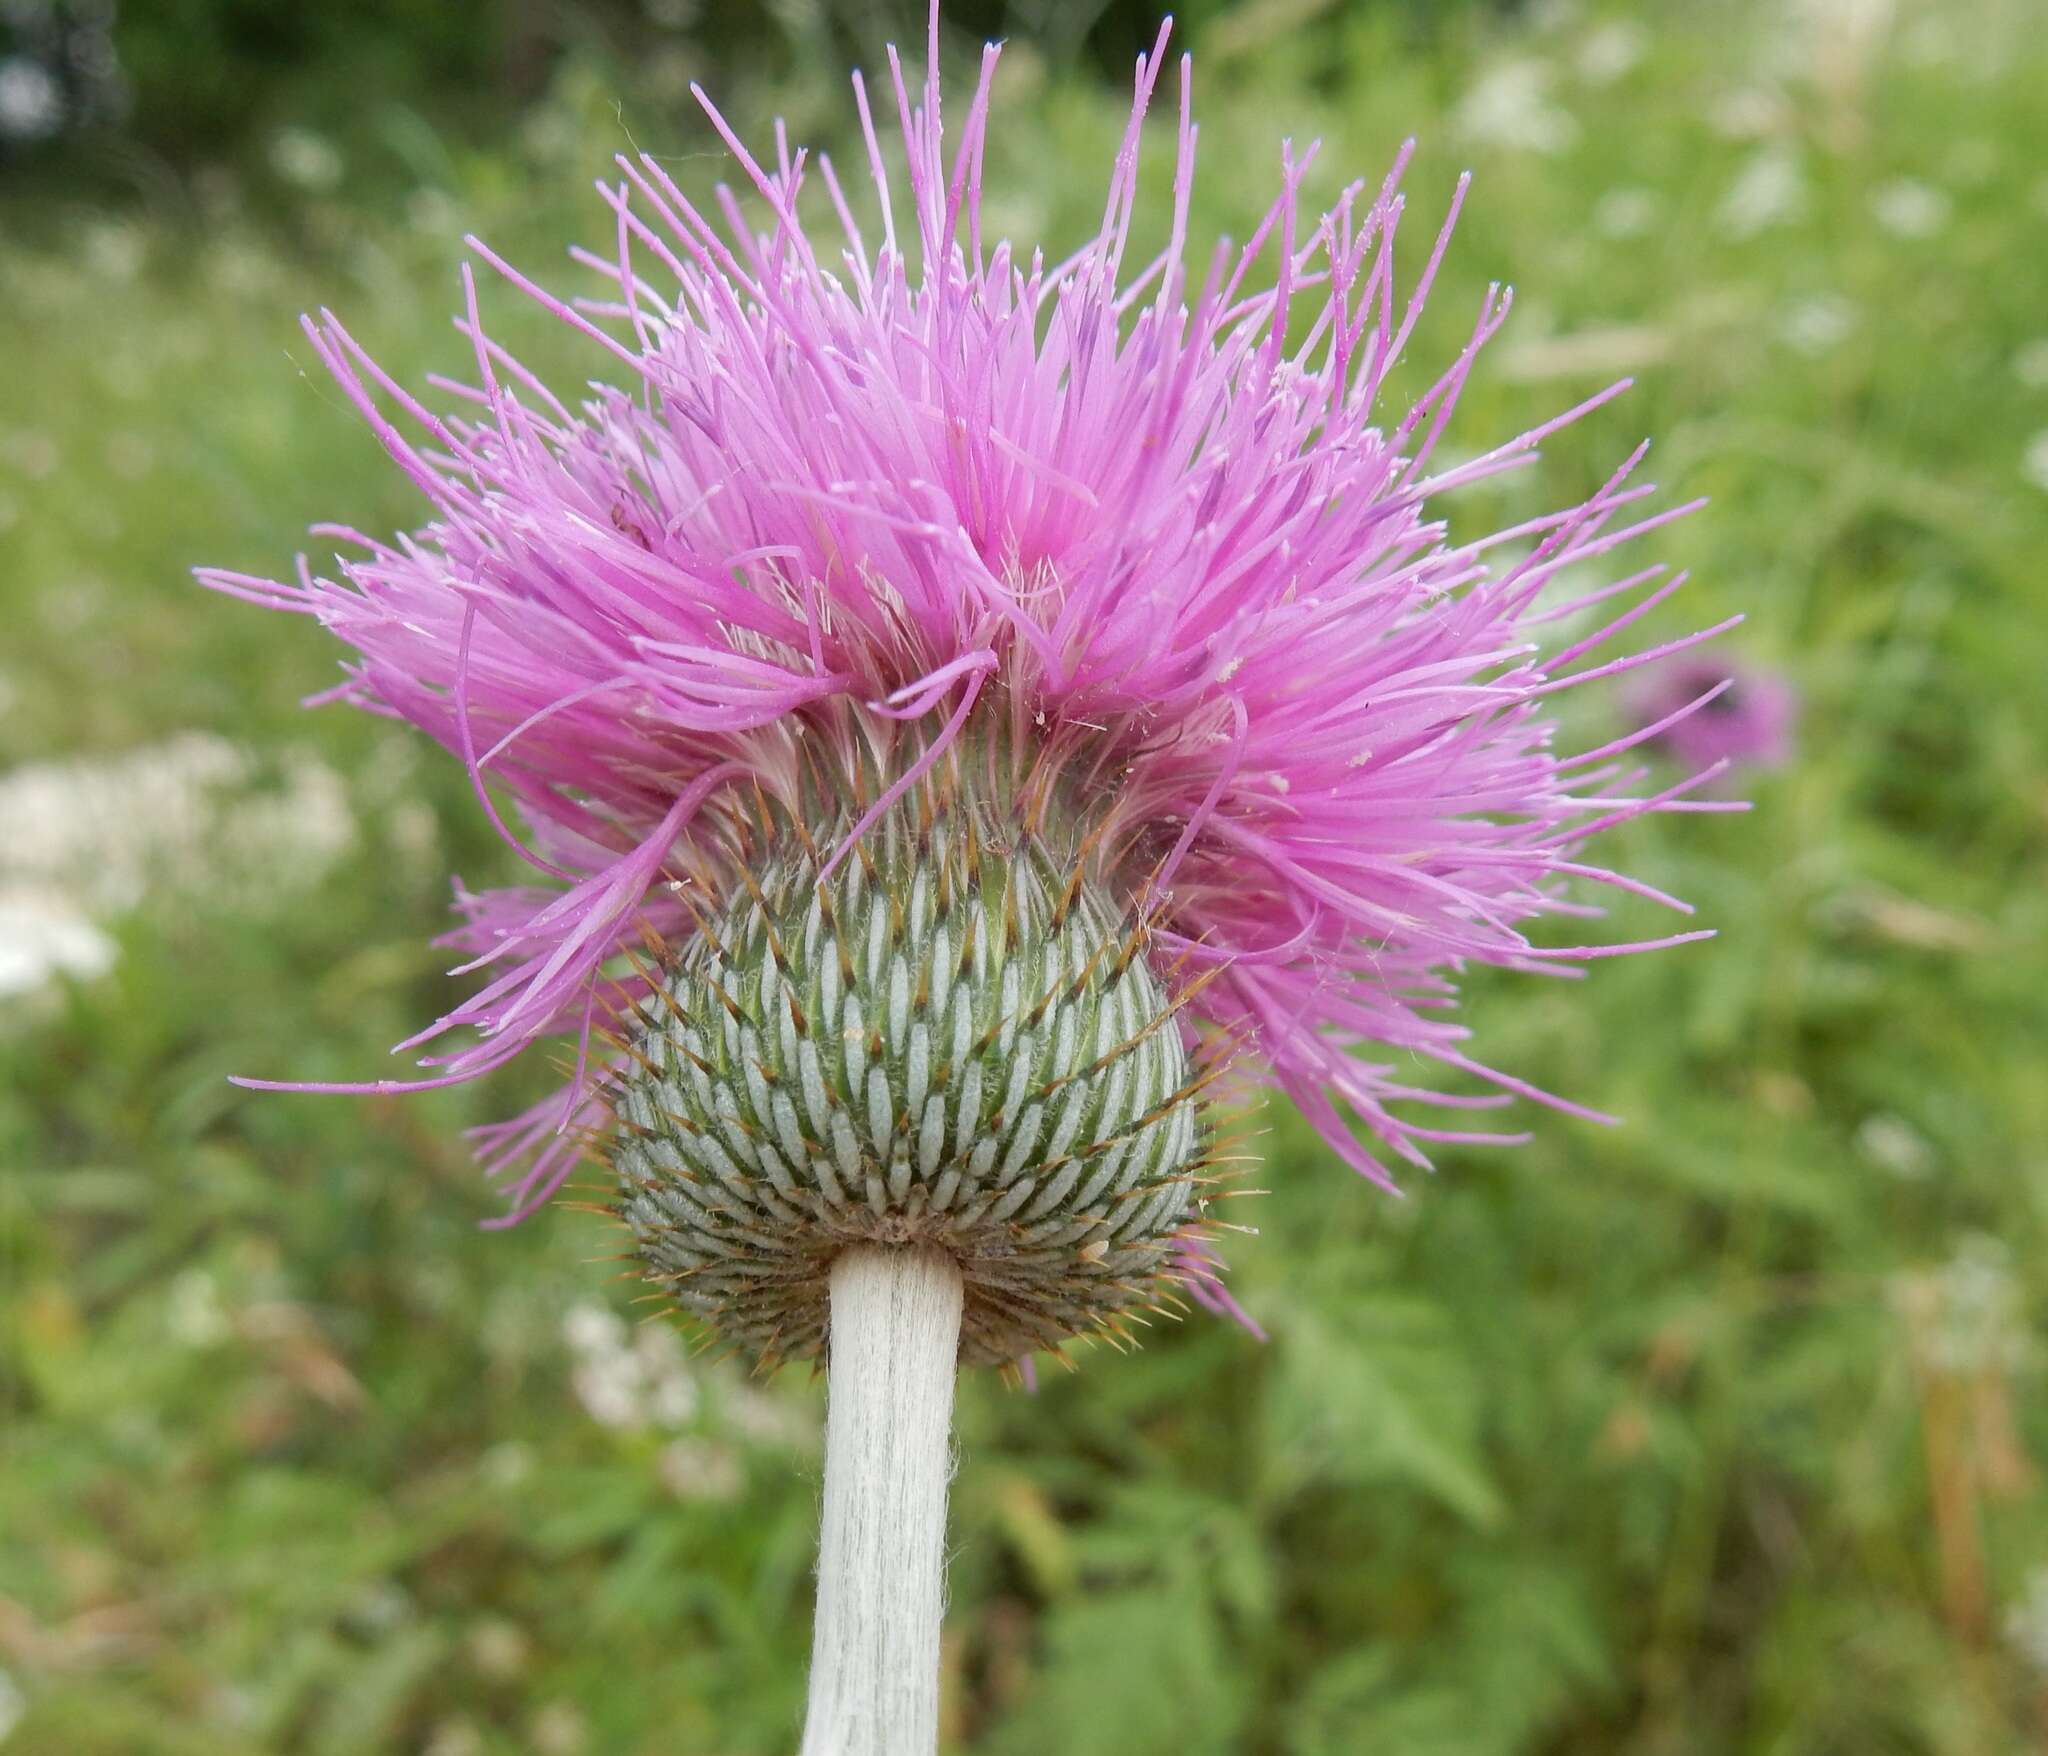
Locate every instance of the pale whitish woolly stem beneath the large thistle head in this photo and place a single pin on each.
(896, 1341)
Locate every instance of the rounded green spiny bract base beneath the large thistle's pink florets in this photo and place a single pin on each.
(949, 1040)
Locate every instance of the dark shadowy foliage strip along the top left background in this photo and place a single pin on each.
(206, 81)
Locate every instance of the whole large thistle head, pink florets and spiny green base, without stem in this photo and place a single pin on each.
(957, 702)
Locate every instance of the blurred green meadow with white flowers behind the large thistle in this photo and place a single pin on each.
(1719, 1431)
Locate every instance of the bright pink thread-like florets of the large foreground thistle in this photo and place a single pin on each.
(1150, 511)
